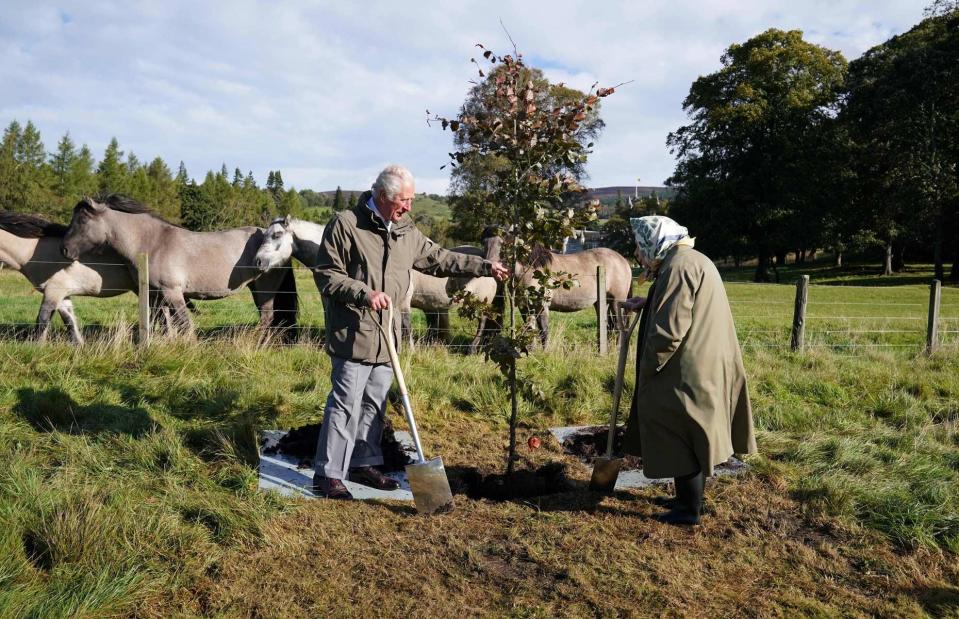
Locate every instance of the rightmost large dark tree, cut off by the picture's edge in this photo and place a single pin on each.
(902, 114)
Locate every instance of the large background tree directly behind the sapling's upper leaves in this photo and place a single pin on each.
(472, 180)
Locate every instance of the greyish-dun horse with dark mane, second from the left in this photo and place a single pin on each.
(184, 265)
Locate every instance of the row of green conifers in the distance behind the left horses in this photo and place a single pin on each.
(49, 184)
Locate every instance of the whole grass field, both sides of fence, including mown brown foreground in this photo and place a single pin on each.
(128, 476)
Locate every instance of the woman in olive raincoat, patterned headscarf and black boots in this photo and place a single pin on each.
(690, 409)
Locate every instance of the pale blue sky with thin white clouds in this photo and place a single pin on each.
(330, 92)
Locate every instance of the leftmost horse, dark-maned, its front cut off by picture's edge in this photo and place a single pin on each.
(31, 246)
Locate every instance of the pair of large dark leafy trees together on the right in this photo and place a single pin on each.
(790, 148)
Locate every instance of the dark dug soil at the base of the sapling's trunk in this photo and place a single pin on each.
(550, 478)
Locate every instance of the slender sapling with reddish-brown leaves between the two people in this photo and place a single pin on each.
(532, 147)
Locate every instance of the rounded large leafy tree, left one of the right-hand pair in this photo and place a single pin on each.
(748, 161)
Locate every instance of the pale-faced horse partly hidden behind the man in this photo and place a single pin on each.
(288, 237)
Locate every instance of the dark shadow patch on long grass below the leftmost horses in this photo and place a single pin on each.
(53, 410)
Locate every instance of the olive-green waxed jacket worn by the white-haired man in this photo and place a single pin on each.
(357, 256)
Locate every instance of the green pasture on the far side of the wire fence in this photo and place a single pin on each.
(842, 317)
